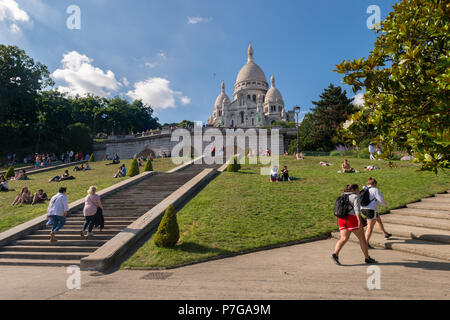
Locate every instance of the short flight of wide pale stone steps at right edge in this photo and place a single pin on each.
(421, 228)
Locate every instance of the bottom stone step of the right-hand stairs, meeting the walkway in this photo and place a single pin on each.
(414, 246)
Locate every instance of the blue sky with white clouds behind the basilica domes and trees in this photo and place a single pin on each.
(173, 54)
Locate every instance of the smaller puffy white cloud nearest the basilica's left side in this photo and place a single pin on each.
(156, 92)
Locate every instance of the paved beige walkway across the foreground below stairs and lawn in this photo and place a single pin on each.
(298, 272)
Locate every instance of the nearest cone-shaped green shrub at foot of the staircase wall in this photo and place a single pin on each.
(168, 231)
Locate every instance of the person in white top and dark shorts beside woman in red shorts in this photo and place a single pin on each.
(371, 197)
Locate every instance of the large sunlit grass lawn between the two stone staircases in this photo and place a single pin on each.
(243, 211)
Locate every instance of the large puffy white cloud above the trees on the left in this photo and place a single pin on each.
(82, 77)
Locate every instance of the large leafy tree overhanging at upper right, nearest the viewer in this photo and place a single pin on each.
(406, 79)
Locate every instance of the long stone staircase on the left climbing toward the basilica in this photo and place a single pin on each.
(120, 210)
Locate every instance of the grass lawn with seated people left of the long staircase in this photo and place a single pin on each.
(100, 176)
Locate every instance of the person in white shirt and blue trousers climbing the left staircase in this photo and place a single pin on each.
(57, 212)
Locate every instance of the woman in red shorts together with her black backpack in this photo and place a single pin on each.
(347, 209)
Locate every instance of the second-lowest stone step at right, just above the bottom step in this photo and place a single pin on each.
(410, 232)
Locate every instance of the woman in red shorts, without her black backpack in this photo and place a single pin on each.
(352, 223)
